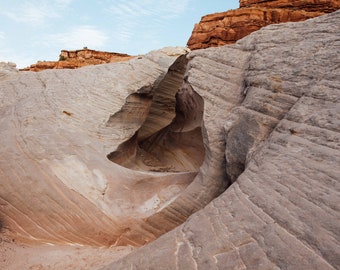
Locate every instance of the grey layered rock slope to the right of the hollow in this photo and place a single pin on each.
(281, 142)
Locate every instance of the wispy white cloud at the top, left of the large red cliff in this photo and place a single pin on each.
(148, 16)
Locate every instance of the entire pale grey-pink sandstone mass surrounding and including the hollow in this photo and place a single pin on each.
(120, 154)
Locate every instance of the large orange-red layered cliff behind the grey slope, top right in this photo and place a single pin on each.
(228, 27)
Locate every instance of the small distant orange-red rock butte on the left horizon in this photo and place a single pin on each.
(79, 58)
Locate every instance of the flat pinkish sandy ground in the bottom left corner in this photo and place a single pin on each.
(14, 256)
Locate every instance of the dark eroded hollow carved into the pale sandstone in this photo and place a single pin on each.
(170, 117)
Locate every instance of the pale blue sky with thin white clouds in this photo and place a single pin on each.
(33, 30)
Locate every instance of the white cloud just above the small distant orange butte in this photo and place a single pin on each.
(78, 37)
